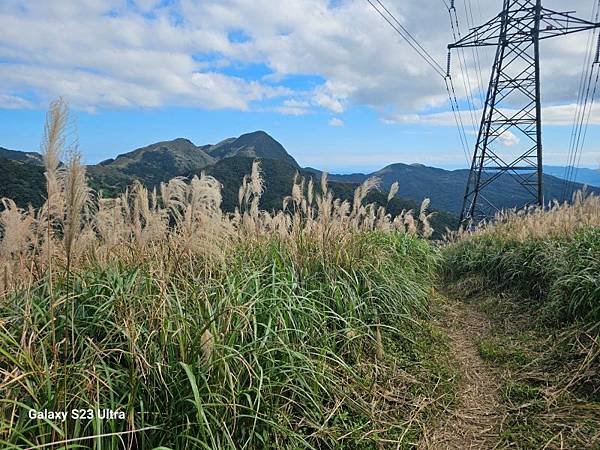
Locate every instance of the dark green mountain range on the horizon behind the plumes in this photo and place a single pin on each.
(231, 159)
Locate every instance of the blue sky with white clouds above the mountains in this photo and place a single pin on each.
(329, 79)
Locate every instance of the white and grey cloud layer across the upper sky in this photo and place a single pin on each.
(105, 53)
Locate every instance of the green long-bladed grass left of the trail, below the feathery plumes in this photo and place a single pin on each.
(273, 349)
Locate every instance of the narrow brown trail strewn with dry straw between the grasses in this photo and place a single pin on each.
(474, 422)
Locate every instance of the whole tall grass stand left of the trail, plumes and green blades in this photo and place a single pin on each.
(296, 329)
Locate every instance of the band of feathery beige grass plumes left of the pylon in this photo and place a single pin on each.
(75, 226)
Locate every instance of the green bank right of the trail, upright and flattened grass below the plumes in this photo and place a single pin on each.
(543, 296)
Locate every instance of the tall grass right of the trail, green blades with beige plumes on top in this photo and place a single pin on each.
(552, 256)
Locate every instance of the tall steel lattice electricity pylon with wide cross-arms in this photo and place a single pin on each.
(512, 106)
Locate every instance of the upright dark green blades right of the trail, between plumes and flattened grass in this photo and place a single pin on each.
(561, 272)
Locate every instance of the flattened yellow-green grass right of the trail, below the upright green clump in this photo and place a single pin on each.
(550, 373)
